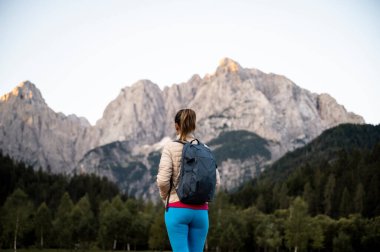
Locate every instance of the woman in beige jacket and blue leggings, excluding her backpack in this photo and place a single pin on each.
(187, 225)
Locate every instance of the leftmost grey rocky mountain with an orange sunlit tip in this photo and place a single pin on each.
(30, 131)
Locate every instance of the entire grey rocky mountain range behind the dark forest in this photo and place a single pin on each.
(248, 117)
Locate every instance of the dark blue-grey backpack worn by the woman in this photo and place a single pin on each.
(197, 175)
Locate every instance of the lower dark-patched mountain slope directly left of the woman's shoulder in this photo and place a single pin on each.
(134, 171)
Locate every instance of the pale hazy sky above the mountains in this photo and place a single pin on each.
(80, 54)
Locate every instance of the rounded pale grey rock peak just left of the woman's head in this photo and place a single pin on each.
(137, 115)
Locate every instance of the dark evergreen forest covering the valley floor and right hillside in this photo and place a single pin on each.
(324, 196)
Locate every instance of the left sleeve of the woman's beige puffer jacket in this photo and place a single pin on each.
(165, 170)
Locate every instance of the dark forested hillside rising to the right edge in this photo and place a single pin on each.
(337, 174)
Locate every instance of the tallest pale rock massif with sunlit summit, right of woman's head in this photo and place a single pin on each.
(270, 105)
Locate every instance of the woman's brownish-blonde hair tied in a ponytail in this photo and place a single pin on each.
(186, 119)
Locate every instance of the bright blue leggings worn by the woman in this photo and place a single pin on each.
(187, 229)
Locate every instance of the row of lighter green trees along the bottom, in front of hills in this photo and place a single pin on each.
(133, 225)
